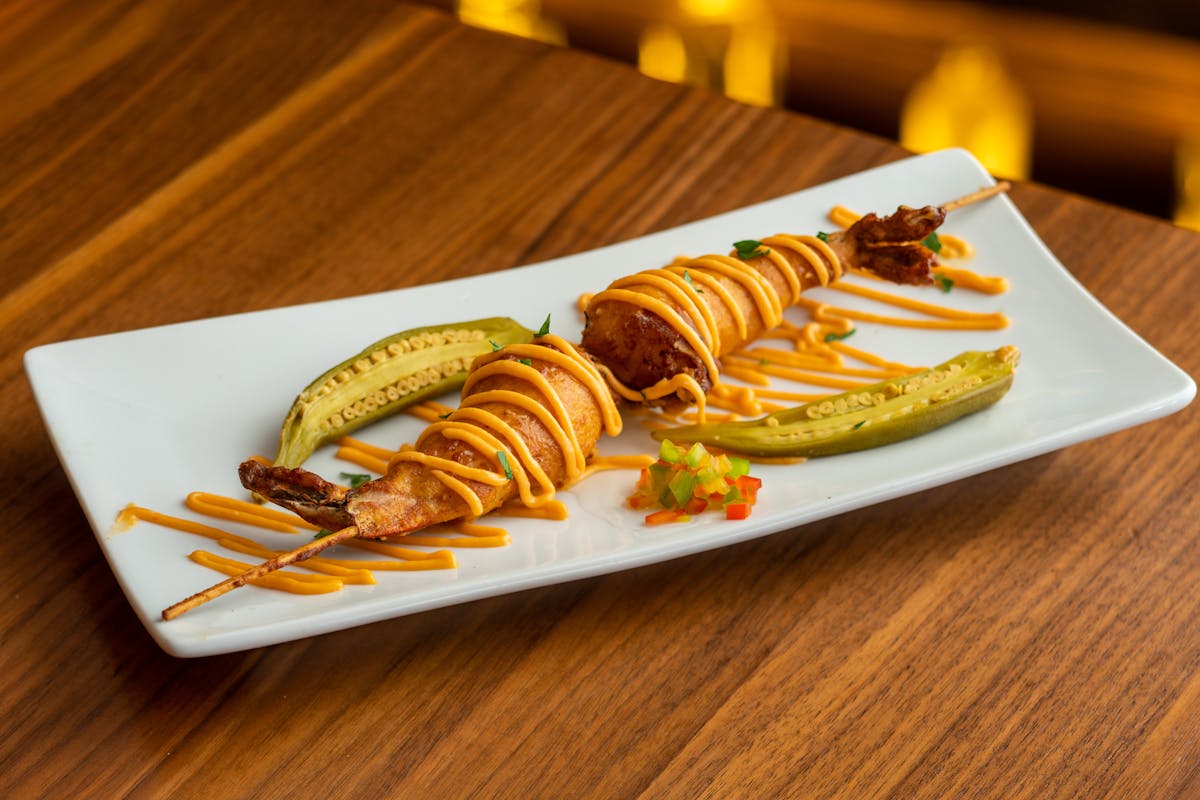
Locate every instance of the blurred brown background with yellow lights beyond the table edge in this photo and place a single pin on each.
(1105, 110)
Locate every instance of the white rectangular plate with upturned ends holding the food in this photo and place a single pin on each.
(149, 416)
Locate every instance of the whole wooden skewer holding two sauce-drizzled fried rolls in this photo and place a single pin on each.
(537, 411)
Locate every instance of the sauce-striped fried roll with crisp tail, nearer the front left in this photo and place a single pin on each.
(530, 417)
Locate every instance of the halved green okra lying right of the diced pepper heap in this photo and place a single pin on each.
(892, 411)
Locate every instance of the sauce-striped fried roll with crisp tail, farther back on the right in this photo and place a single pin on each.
(661, 333)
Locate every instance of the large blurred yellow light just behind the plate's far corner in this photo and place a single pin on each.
(969, 101)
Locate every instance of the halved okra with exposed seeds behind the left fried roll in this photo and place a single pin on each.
(389, 376)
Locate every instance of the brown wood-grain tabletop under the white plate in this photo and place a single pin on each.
(1030, 634)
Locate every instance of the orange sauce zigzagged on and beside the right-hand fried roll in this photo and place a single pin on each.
(815, 354)
